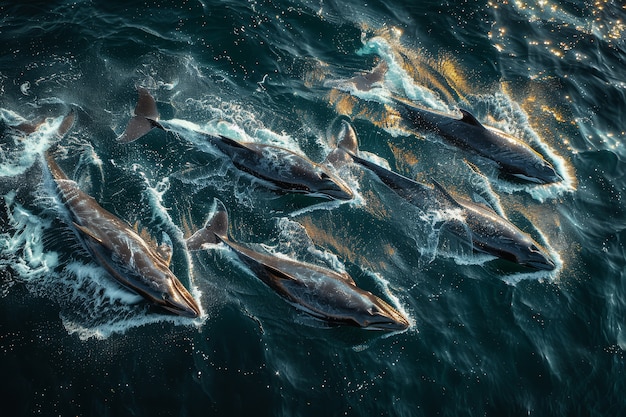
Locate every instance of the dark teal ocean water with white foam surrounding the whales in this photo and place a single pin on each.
(486, 338)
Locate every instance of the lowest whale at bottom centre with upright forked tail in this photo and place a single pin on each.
(323, 293)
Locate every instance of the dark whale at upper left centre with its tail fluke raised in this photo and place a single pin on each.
(283, 169)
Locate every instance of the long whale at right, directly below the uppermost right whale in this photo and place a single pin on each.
(489, 232)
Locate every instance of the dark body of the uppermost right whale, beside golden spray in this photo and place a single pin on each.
(514, 157)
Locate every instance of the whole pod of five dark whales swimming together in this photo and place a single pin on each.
(325, 294)
